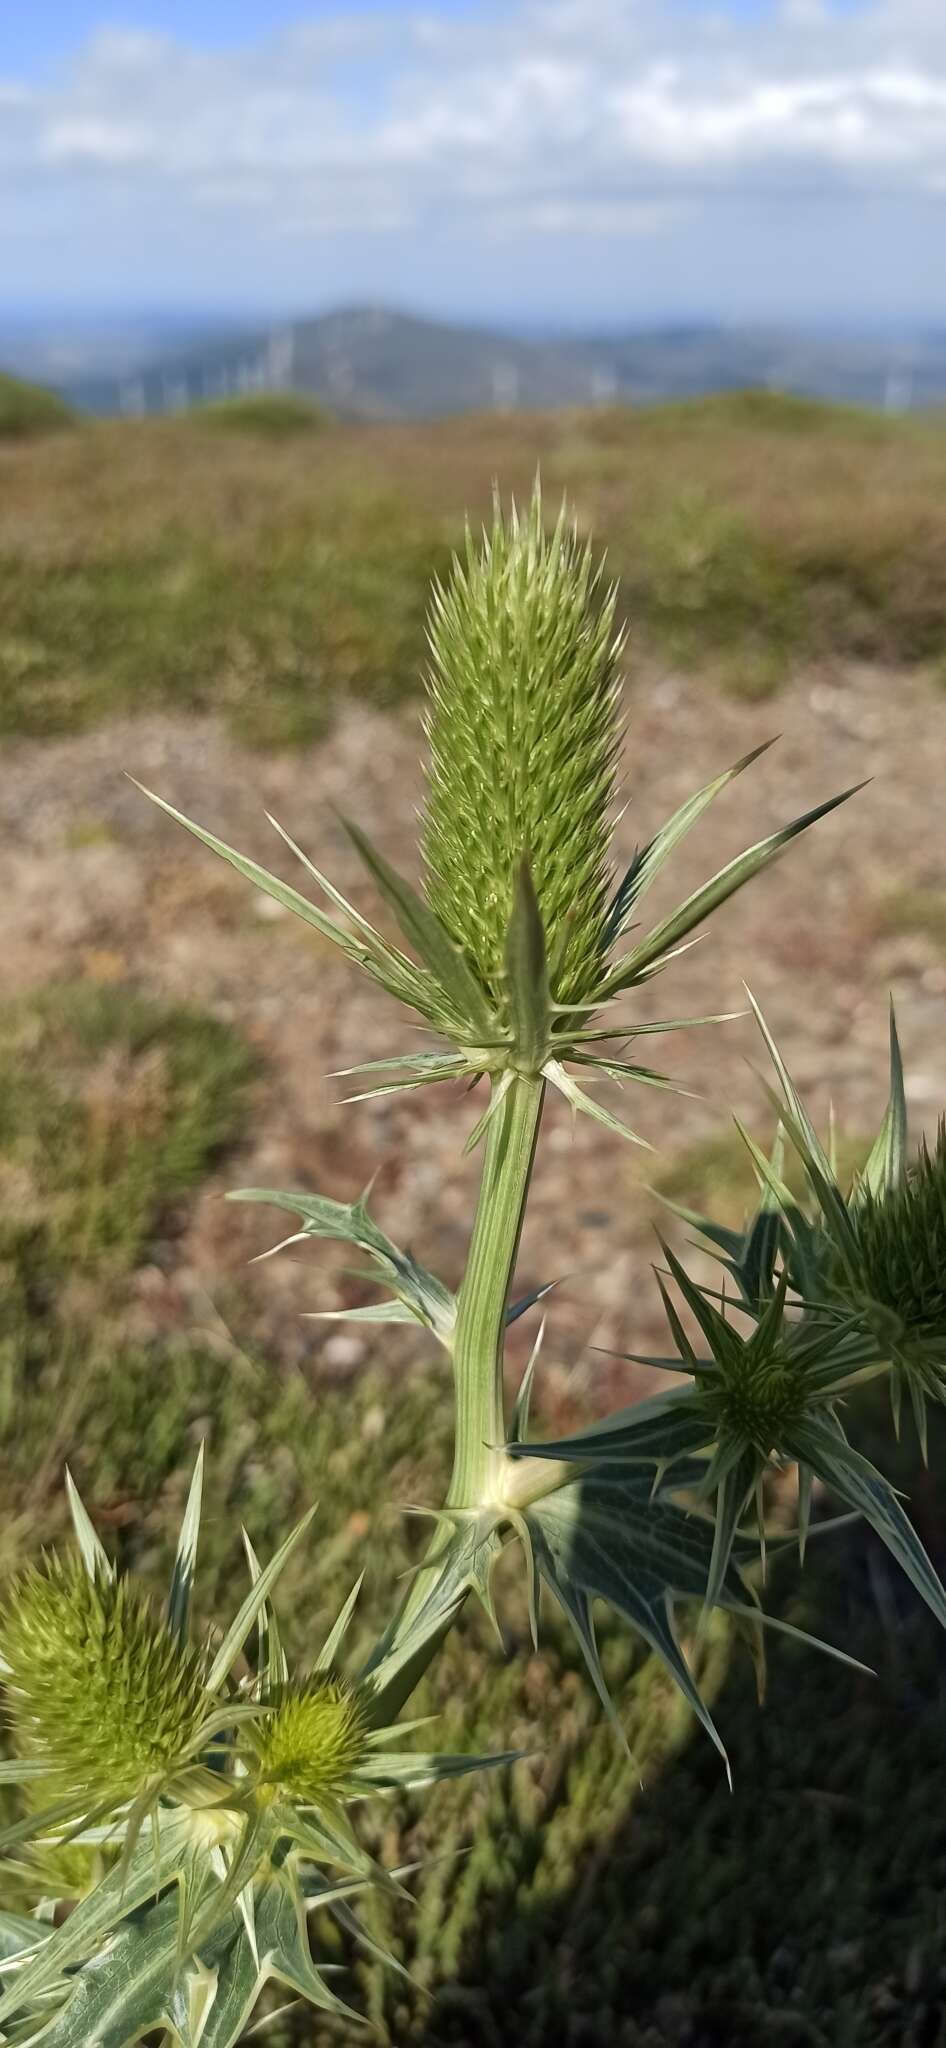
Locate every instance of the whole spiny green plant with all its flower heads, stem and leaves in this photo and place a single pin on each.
(226, 1793)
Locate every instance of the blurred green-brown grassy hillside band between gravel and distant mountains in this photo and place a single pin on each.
(267, 572)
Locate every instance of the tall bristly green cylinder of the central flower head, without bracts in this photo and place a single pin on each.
(523, 734)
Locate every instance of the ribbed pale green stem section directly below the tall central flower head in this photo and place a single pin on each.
(478, 1351)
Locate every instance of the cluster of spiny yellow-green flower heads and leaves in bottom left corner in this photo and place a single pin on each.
(224, 1801)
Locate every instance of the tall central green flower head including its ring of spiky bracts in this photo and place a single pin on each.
(521, 933)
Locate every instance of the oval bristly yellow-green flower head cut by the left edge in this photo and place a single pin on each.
(97, 1687)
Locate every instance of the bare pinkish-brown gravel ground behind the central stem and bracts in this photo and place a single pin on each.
(99, 884)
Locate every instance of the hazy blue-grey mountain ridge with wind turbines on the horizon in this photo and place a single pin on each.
(376, 364)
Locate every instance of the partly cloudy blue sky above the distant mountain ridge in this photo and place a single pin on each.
(562, 163)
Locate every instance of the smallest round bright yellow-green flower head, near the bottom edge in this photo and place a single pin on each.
(312, 1740)
